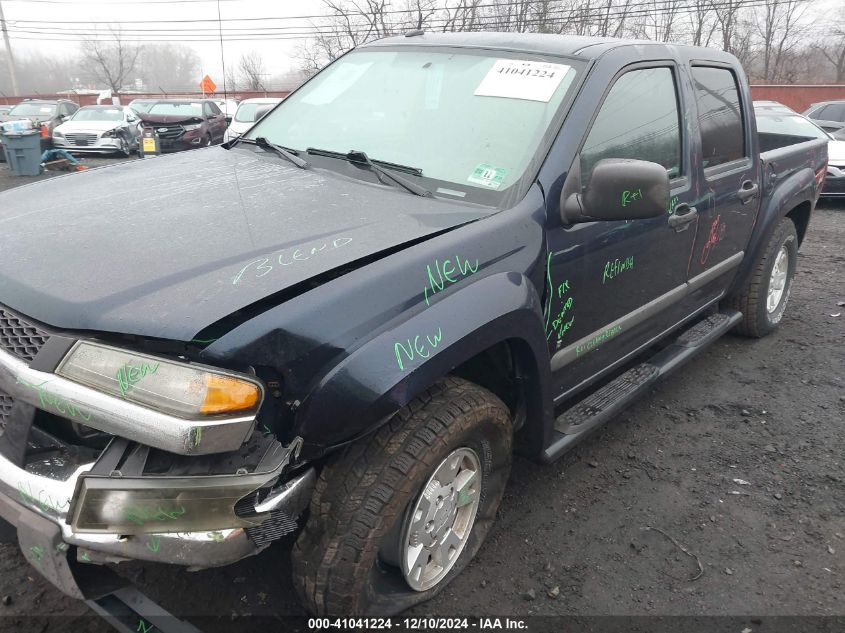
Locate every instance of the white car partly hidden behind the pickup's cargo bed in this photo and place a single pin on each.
(778, 129)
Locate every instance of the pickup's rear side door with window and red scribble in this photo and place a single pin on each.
(729, 196)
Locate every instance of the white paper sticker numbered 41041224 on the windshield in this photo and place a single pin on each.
(520, 79)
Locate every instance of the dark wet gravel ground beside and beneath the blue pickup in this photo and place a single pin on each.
(572, 537)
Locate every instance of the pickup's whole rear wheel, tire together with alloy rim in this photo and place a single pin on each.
(763, 300)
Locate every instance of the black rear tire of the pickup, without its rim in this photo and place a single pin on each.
(757, 321)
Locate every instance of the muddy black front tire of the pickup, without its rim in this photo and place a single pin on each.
(362, 495)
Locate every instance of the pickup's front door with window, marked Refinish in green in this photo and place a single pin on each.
(608, 282)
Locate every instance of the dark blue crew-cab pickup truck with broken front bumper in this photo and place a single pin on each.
(442, 249)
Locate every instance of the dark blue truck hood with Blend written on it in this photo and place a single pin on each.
(166, 246)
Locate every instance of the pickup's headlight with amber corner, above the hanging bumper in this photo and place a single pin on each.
(180, 389)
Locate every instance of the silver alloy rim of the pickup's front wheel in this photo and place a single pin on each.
(438, 527)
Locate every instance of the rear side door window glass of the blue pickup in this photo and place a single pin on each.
(719, 115)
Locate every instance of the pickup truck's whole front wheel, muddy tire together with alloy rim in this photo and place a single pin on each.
(399, 514)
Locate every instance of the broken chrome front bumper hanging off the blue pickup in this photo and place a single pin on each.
(42, 508)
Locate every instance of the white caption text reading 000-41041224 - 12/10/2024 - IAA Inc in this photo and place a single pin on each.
(428, 623)
